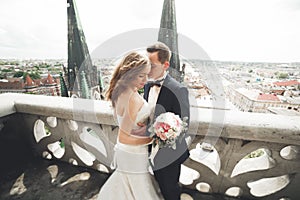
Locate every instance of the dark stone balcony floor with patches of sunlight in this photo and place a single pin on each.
(36, 183)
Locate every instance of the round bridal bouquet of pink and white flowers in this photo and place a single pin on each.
(167, 129)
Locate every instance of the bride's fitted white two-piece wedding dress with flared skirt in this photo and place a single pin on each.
(131, 179)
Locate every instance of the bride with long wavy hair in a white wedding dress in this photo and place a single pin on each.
(131, 179)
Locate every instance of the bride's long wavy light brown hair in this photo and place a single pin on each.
(126, 71)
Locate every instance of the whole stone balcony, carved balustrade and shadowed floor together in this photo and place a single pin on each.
(233, 154)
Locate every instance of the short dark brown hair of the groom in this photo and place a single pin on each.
(164, 53)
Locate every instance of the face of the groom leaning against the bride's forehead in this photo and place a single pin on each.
(157, 68)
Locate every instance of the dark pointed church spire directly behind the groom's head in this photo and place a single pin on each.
(168, 35)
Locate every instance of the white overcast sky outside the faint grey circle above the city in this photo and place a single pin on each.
(228, 30)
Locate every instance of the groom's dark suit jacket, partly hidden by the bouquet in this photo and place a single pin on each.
(173, 97)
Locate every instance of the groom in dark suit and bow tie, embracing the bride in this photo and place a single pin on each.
(167, 95)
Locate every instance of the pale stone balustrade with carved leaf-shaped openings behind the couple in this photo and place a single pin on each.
(249, 155)
